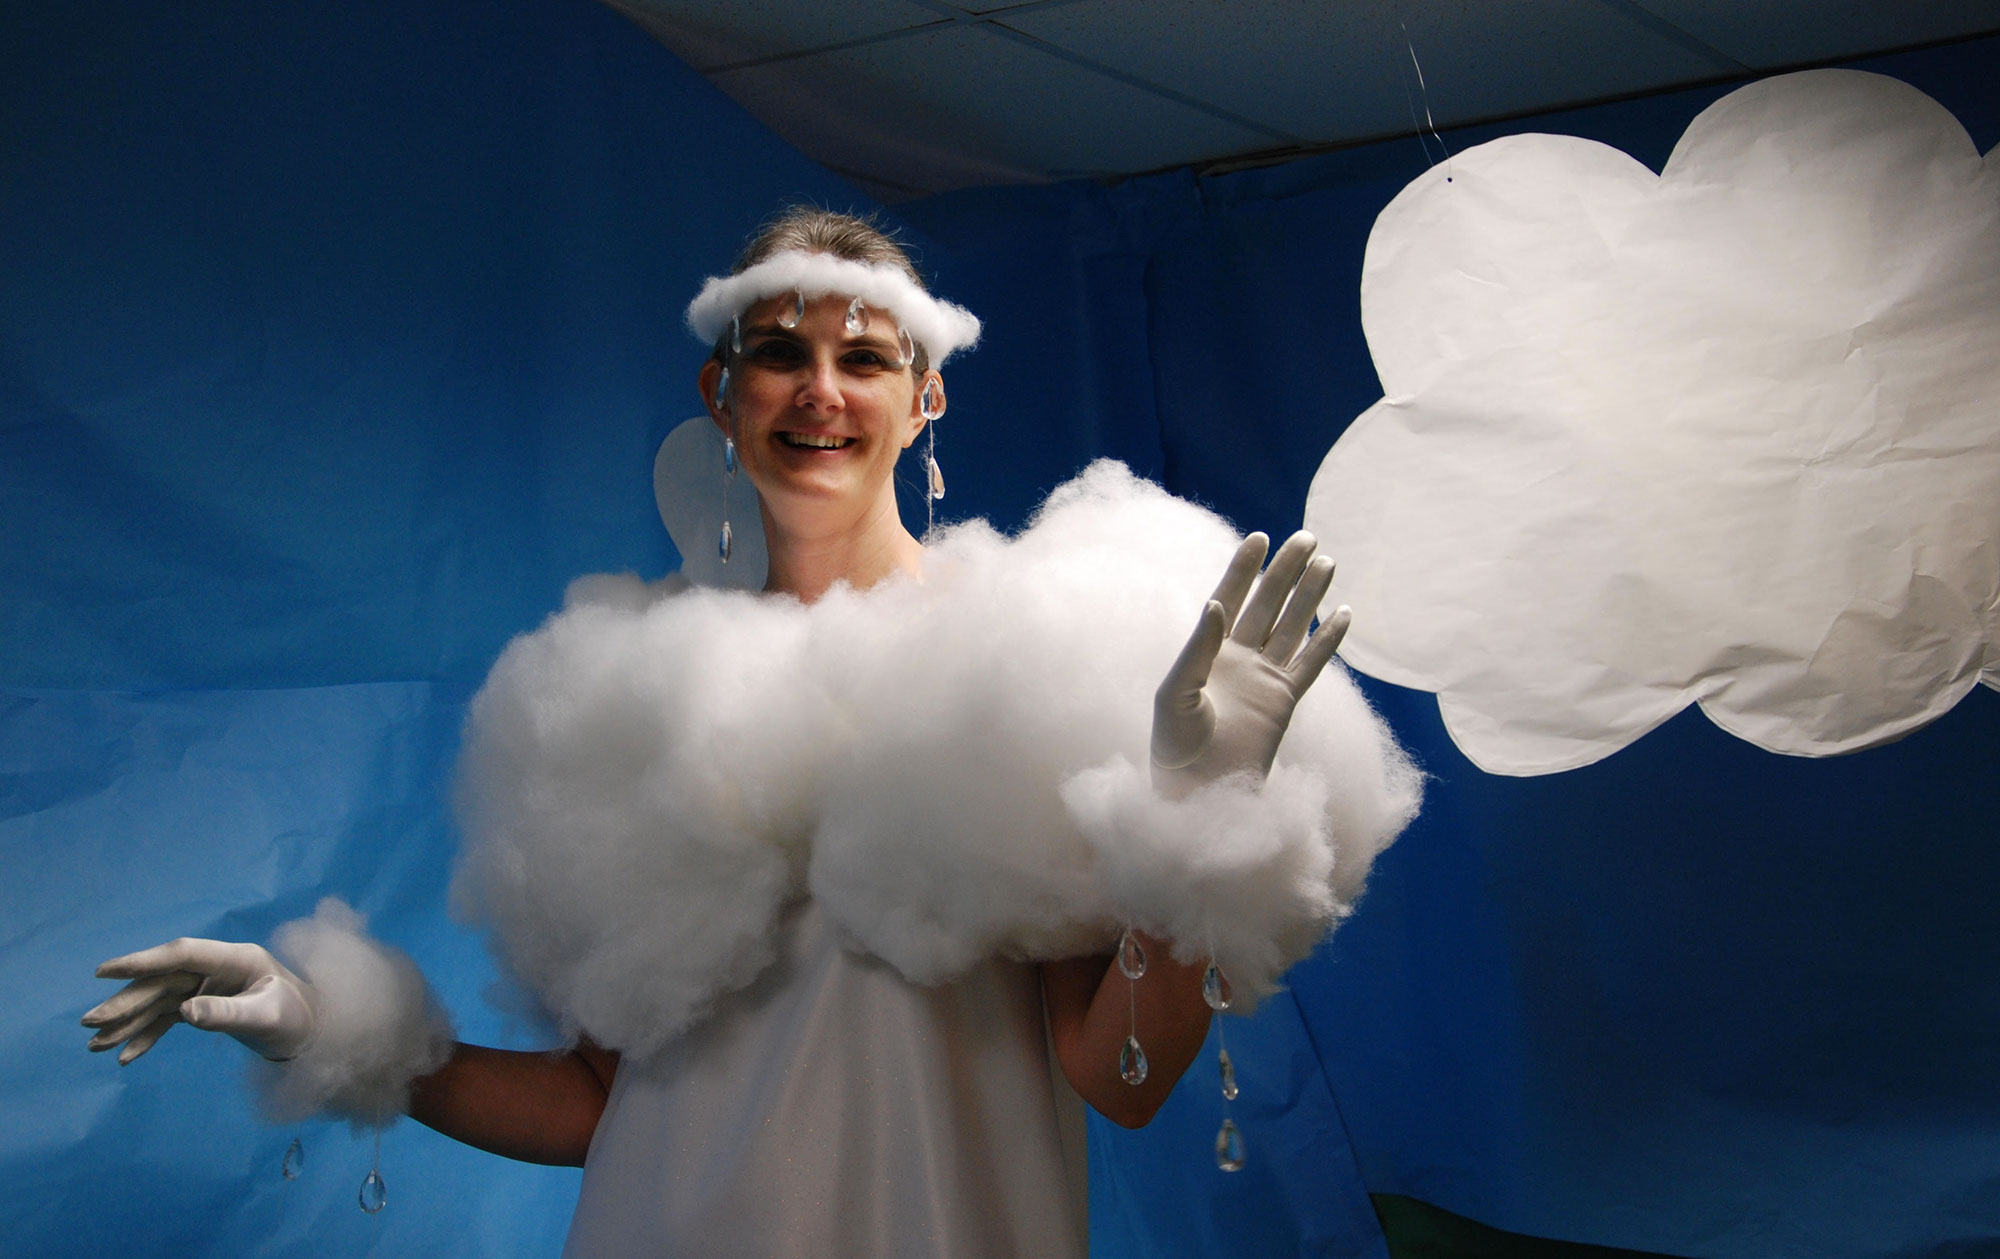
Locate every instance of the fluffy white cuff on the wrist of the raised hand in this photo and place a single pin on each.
(1239, 870)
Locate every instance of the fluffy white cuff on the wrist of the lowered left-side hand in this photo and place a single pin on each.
(377, 1024)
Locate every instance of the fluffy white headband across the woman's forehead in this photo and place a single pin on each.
(939, 327)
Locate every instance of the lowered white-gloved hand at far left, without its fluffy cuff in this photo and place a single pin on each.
(209, 984)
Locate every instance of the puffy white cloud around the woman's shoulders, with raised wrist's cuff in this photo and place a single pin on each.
(953, 768)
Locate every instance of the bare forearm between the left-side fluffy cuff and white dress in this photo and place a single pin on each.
(537, 1108)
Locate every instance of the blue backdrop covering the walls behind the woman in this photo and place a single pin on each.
(337, 339)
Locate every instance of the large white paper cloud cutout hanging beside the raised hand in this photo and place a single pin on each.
(1729, 435)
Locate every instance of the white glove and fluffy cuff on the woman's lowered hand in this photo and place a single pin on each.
(349, 1020)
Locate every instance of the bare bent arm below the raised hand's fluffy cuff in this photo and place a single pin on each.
(1091, 1012)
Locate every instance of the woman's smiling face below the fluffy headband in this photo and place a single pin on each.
(819, 413)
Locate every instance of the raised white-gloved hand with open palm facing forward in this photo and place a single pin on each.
(1229, 698)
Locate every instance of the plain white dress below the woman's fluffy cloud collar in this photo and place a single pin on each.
(835, 1108)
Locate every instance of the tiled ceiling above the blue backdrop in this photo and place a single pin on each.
(915, 97)
